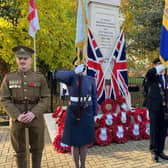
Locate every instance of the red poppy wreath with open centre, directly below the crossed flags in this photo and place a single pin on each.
(108, 106)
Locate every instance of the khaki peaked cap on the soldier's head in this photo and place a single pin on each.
(22, 51)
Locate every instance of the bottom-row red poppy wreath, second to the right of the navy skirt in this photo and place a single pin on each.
(120, 137)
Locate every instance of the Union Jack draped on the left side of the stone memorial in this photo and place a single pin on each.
(94, 66)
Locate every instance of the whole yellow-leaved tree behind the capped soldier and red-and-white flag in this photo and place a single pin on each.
(54, 41)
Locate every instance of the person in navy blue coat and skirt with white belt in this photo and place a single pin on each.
(79, 128)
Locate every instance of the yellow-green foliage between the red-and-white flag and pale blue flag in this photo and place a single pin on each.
(56, 37)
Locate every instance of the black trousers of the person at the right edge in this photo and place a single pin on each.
(158, 131)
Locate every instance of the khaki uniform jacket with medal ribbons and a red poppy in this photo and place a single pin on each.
(18, 86)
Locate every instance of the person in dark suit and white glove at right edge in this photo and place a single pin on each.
(155, 102)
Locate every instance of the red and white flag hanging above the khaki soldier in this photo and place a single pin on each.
(33, 19)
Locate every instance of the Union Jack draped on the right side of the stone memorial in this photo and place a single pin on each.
(119, 79)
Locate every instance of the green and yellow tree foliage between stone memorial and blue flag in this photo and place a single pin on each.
(142, 25)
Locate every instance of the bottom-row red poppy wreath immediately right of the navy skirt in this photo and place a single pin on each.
(100, 141)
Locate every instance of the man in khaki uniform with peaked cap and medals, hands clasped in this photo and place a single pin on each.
(17, 88)
